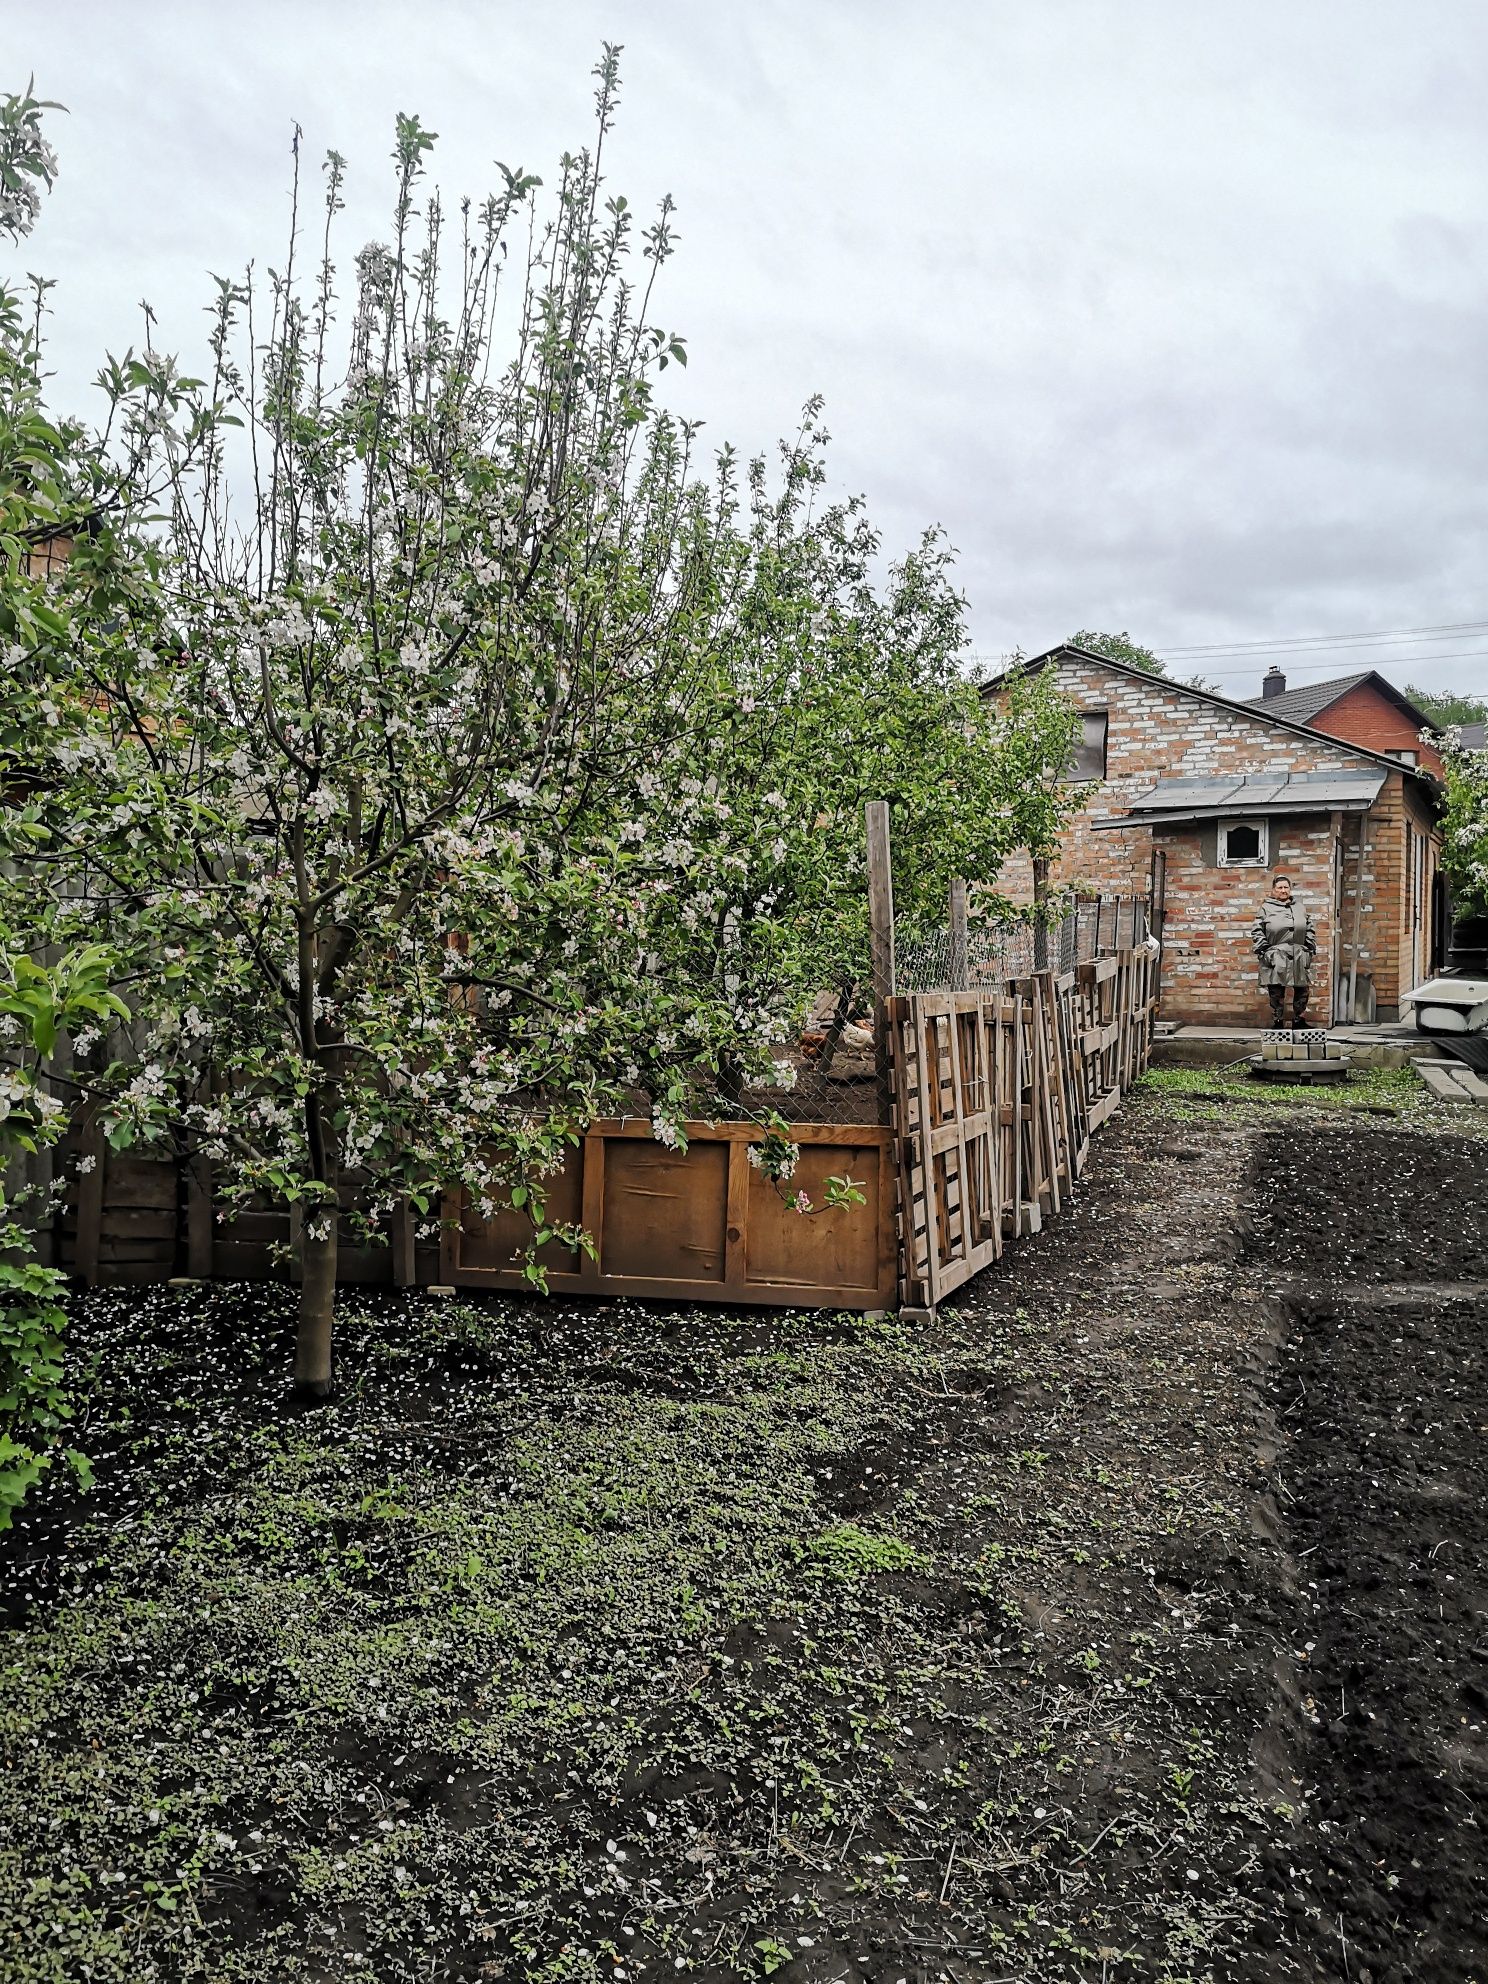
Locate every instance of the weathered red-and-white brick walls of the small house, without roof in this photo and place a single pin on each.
(1209, 967)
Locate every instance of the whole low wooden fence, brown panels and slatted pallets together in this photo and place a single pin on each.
(995, 1100)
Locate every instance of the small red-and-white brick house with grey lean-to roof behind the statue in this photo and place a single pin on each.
(1193, 799)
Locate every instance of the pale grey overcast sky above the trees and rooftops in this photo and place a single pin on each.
(1172, 314)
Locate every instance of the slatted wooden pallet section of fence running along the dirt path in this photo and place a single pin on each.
(997, 1096)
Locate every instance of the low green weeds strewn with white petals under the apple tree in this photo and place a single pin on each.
(312, 1689)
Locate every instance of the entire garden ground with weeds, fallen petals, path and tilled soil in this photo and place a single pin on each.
(1076, 1640)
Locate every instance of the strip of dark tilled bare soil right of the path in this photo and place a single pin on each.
(1384, 1396)
